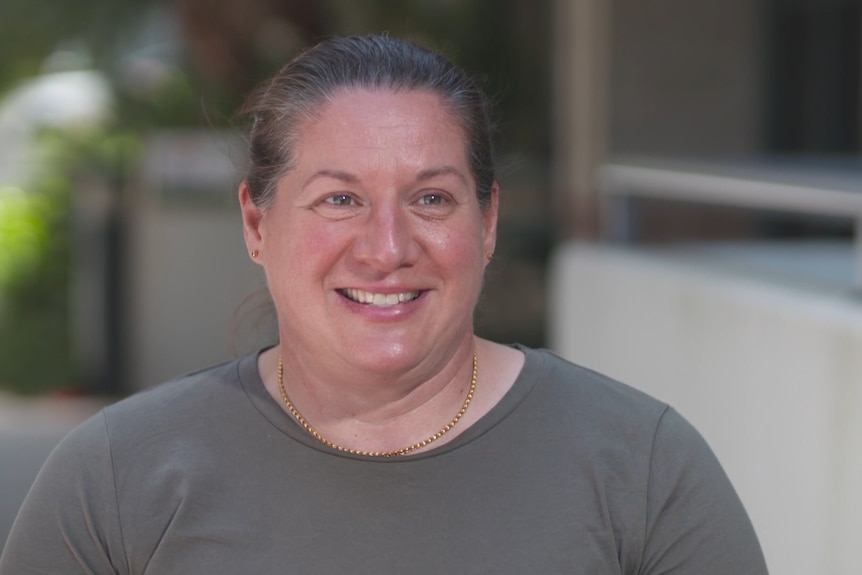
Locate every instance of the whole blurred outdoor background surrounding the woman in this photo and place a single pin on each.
(682, 198)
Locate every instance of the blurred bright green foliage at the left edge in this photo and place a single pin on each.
(36, 245)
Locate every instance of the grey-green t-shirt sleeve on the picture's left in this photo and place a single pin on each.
(68, 522)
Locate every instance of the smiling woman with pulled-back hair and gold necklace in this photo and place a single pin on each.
(380, 435)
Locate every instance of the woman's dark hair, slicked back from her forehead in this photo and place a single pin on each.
(280, 108)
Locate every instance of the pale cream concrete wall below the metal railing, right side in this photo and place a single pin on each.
(767, 367)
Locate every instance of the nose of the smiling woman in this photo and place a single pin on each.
(386, 240)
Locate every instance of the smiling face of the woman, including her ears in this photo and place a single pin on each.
(375, 245)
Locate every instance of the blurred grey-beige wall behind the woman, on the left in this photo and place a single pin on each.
(191, 273)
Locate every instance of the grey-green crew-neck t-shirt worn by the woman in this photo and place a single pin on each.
(570, 473)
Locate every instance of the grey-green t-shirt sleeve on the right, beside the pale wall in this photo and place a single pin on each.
(695, 522)
